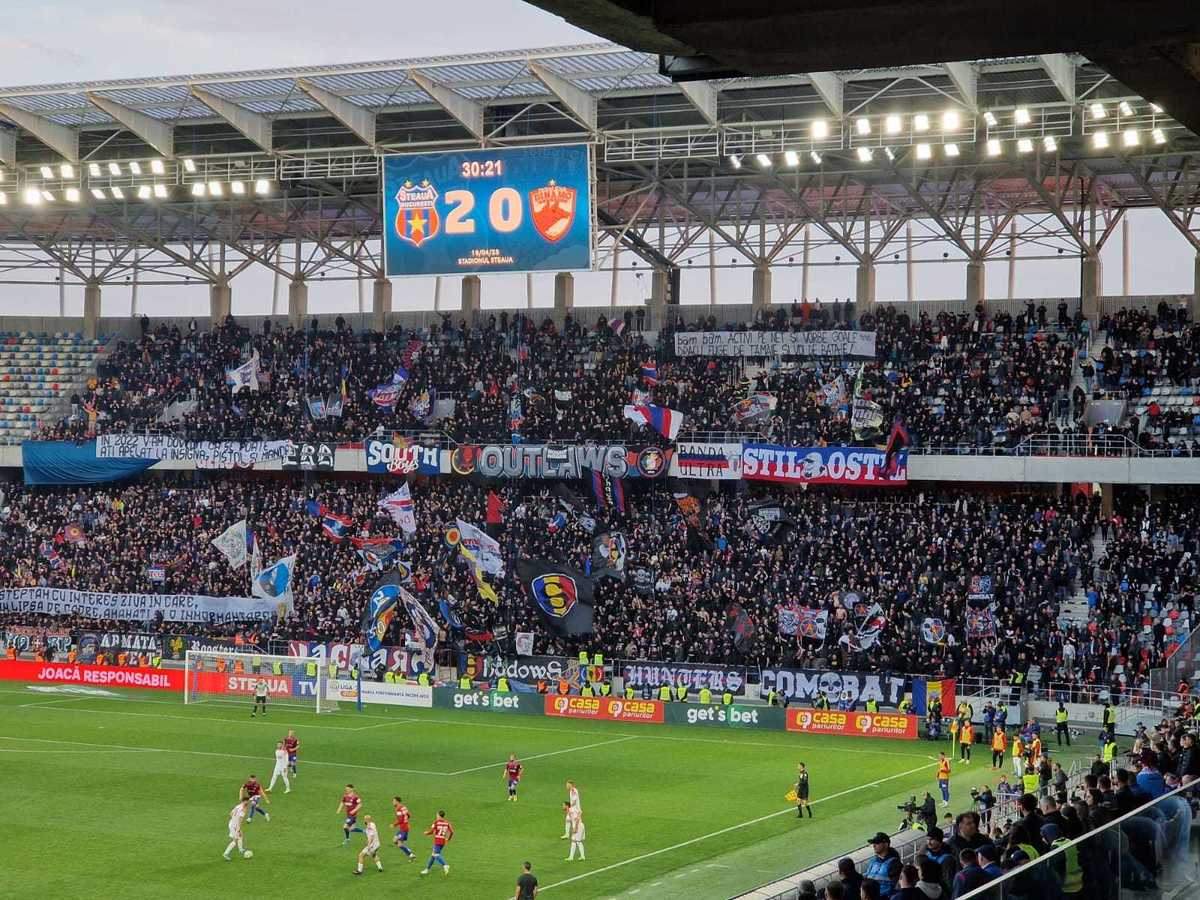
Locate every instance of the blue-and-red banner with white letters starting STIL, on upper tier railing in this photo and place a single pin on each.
(821, 465)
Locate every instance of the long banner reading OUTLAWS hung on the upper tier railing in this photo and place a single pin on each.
(566, 461)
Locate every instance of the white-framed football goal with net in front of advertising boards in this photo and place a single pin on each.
(218, 676)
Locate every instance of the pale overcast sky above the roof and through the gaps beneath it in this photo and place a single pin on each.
(70, 40)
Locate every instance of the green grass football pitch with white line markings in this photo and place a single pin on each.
(122, 794)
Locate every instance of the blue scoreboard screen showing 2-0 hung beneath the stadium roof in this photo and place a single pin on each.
(503, 211)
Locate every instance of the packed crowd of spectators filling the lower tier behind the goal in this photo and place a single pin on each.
(913, 554)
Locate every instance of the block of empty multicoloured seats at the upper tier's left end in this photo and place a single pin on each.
(38, 377)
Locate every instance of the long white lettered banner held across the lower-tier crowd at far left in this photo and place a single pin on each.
(137, 608)
